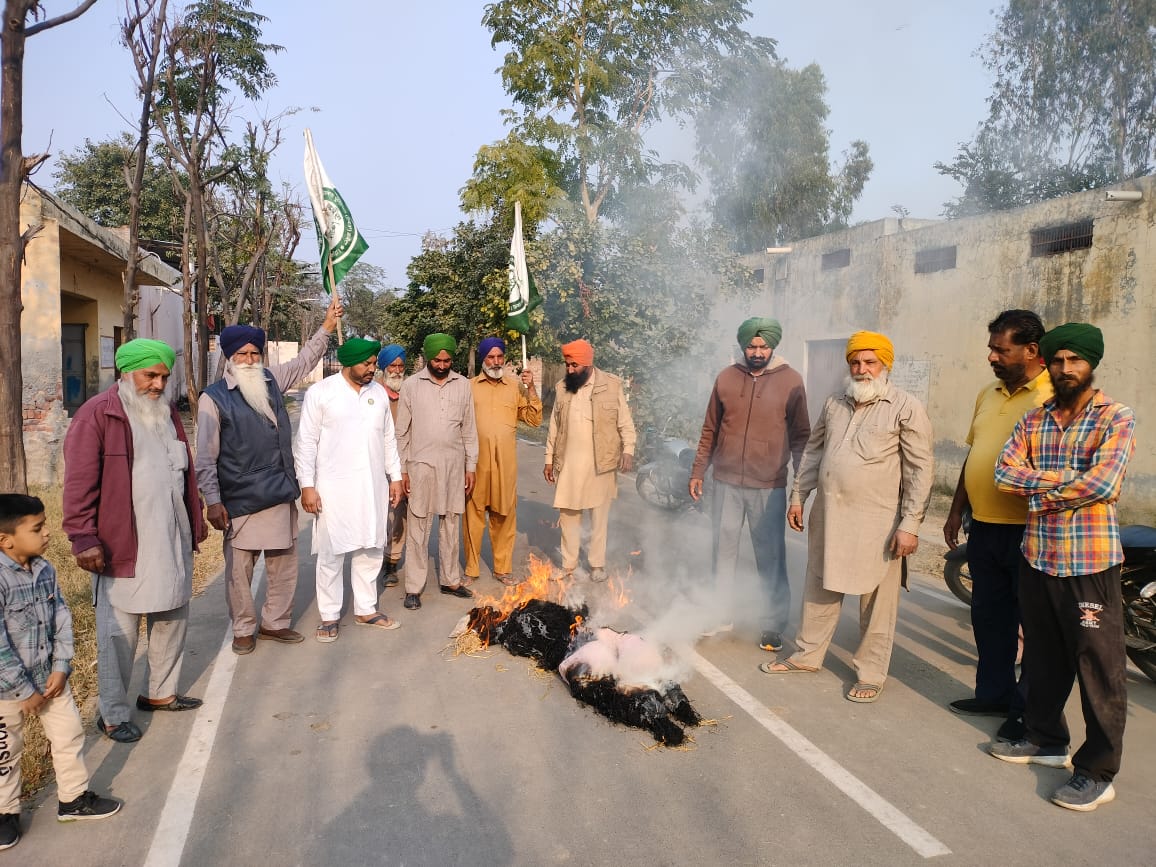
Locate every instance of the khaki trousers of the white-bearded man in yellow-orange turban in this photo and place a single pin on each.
(877, 626)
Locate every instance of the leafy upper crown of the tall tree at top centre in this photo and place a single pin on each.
(590, 78)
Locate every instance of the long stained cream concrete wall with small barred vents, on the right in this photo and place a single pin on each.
(938, 321)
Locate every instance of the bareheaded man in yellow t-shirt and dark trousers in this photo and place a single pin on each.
(998, 520)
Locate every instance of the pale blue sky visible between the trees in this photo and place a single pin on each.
(407, 92)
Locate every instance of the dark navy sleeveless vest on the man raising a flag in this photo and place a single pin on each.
(255, 466)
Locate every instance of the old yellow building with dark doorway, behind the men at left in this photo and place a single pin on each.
(73, 295)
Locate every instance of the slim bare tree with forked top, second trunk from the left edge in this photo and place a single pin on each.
(142, 32)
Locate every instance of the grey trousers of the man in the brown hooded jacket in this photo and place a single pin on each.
(766, 513)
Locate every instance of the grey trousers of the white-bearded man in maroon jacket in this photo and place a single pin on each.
(117, 634)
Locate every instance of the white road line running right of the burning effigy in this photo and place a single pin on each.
(839, 776)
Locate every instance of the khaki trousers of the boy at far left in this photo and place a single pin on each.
(65, 732)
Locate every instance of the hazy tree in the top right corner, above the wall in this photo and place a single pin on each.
(1073, 106)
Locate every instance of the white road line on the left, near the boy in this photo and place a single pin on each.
(177, 817)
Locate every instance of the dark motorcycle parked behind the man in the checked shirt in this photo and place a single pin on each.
(1138, 587)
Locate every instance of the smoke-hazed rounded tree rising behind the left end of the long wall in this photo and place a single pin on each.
(764, 146)
